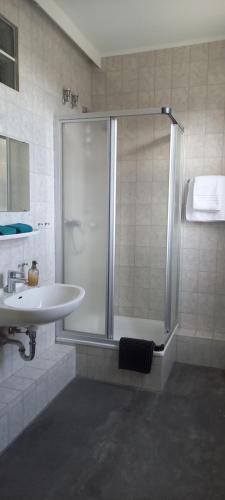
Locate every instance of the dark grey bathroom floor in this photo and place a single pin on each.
(102, 442)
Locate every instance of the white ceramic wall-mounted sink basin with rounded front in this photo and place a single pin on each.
(38, 306)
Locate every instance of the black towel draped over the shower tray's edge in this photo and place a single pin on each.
(136, 354)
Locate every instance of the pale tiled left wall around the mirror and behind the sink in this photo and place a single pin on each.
(48, 61)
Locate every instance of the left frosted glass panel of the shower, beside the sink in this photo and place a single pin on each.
(85, 179)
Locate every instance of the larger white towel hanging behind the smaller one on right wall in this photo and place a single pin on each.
(193, 215)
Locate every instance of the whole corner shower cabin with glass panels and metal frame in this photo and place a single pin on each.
(118, 204)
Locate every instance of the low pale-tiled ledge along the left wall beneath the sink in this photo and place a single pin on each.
(29, 390)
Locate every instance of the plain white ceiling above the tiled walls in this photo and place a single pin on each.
(123, 26)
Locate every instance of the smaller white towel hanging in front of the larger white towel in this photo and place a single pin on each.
(207, 193)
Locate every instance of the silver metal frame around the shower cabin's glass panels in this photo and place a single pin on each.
(111, 117)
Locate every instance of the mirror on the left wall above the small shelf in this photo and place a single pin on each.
(14, 175)
